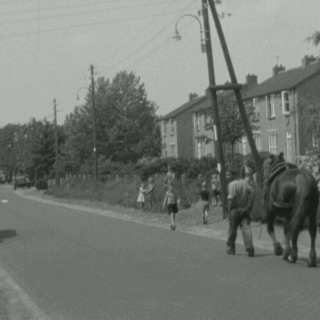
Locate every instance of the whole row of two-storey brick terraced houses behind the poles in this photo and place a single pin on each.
(281, 105)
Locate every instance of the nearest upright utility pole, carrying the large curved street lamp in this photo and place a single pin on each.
(218, 147)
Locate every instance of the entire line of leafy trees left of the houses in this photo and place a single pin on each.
(127, 129)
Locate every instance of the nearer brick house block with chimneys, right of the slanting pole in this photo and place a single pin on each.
(282, 105)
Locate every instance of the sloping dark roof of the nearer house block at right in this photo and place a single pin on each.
(284, 80)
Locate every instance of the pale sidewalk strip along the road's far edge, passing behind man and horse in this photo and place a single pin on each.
(189, 221)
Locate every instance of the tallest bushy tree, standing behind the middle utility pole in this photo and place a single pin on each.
(126, 123)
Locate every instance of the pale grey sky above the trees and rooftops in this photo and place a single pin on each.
(47, 47)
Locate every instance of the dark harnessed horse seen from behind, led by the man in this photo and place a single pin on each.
(292, 194)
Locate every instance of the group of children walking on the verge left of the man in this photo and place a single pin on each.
(171, 200)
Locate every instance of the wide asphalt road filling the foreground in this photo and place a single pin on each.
(77, 265)
